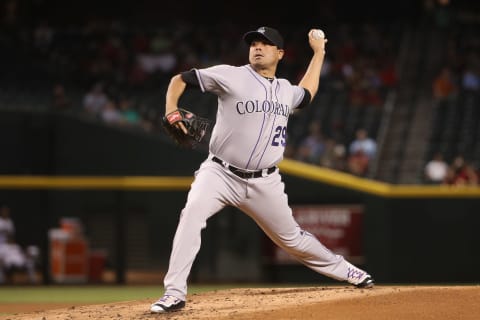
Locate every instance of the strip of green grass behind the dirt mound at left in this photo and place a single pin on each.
(88, 294)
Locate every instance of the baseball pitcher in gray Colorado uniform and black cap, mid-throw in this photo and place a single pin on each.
(247, 143)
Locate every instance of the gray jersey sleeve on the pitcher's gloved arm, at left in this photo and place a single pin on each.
(215, 79)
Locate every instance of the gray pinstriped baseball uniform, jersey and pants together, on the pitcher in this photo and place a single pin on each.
(250, 133)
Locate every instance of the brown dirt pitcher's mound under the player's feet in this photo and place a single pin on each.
(382, 302)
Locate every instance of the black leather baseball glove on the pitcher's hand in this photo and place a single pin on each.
(196, 127)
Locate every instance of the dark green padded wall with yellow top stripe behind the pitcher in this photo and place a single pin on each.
(124, 187)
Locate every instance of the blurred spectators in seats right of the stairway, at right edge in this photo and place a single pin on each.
(455, 155)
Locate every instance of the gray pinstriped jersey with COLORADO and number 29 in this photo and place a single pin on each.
(252, 115)
